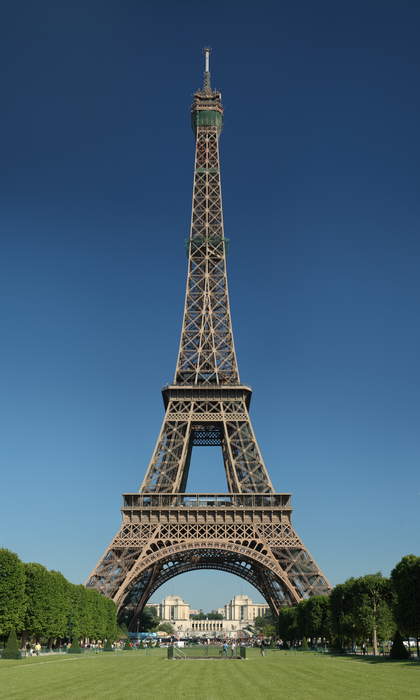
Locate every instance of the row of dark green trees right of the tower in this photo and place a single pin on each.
(369, 608)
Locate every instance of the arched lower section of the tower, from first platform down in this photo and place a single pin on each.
(161, 538)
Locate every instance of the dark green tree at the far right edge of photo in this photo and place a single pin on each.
(405, 579)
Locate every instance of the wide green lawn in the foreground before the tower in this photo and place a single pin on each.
(140, 674)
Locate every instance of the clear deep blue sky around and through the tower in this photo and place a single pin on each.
(320, 166)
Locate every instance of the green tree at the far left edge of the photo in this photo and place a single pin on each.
(12, 592)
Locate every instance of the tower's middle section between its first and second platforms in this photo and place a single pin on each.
(211, 417)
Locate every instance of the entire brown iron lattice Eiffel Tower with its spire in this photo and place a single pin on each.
(246, 531)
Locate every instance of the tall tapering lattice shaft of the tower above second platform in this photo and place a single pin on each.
(207, 352)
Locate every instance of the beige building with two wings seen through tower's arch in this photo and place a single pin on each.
(239, 613)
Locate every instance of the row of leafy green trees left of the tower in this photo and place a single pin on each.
(41, 604)
